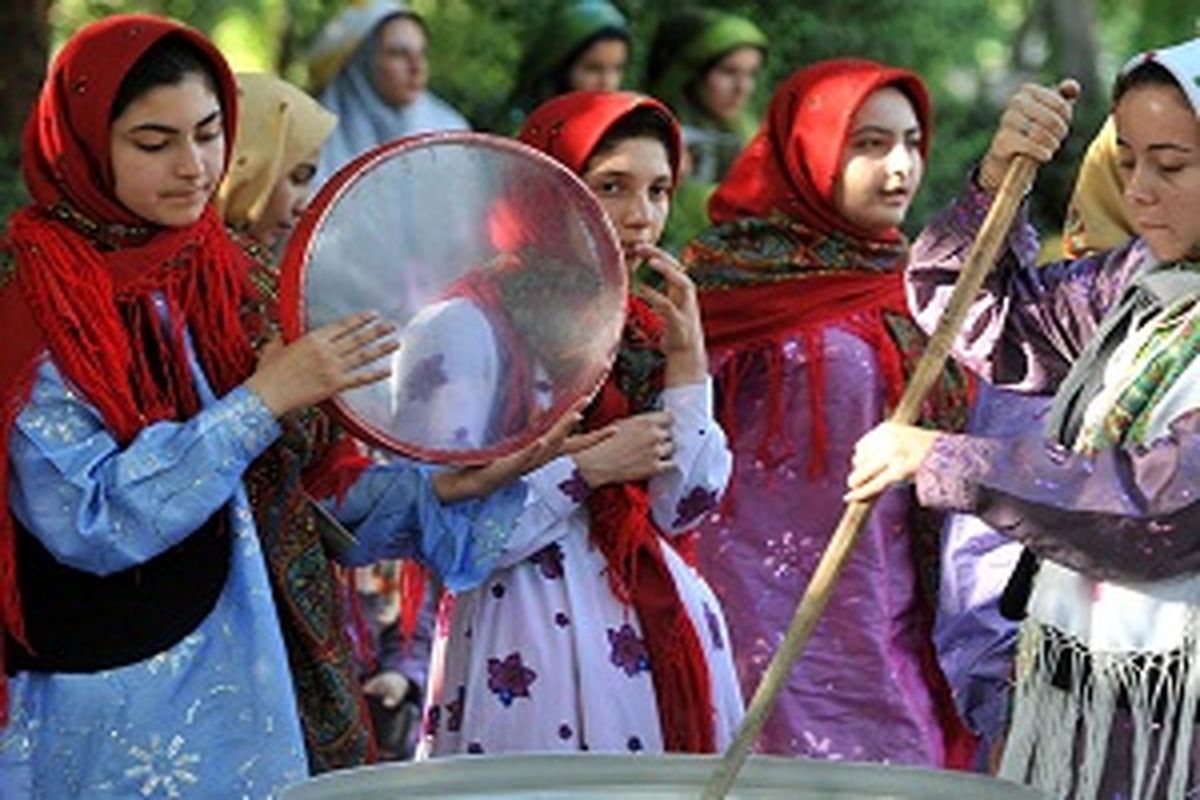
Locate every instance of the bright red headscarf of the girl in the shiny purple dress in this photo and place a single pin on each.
(791, 165)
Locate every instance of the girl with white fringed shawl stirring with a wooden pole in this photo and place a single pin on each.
(1108, 672)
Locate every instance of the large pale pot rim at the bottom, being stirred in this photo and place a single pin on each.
(579, 777)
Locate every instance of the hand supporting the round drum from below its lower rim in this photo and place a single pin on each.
(482, 482)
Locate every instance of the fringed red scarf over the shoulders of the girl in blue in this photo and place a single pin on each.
(99, 316)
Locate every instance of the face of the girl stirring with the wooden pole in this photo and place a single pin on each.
(1159, 154)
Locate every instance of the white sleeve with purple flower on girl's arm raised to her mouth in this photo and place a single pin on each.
(681, 497)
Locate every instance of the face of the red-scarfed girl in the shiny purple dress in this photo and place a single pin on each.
(881, 165)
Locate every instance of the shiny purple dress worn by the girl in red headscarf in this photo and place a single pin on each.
(861, 691)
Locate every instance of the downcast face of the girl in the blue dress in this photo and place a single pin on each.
(167, 151)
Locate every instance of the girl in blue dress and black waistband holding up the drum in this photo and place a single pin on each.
(145, 645)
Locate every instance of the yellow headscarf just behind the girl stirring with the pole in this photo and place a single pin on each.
(1097, 219)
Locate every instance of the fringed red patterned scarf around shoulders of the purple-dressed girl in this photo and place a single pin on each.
(766, 281)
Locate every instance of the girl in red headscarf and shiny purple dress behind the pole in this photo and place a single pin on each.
(805, 316)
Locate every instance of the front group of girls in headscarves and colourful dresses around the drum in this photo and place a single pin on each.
(172, 622)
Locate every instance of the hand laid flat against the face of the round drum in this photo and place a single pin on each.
(323, 363)
